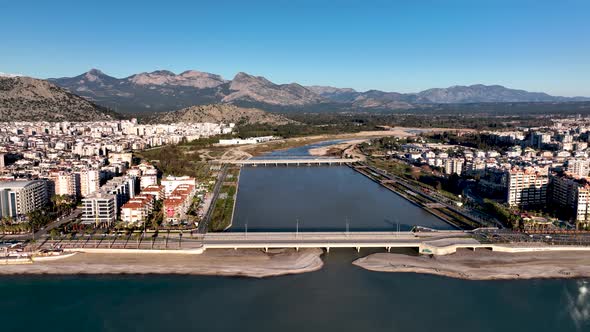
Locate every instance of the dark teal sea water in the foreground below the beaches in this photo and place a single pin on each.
(340, 297)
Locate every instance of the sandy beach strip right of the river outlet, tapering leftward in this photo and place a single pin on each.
(485, 265)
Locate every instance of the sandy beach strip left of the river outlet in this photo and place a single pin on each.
(248, 263)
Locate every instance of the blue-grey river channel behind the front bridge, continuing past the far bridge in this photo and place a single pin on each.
(320, 198)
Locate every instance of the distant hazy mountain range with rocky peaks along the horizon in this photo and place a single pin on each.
(165, 91)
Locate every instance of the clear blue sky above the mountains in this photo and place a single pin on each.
(403, 45)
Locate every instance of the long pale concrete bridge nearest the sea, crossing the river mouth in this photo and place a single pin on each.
(440, 242)
